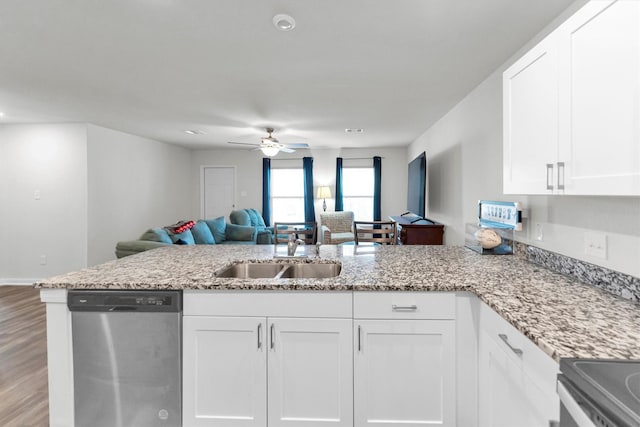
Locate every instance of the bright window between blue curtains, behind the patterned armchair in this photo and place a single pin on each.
(357, 192)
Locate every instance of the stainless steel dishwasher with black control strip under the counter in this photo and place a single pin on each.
(127, 348)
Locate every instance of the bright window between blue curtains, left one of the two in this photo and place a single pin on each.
(287, 195)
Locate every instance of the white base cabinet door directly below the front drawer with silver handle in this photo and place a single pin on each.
(404, 373)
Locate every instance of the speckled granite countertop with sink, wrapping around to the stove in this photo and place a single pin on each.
(564, 317)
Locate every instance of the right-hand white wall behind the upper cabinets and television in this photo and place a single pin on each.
(464, 163)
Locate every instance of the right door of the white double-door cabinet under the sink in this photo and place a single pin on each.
(310, 372)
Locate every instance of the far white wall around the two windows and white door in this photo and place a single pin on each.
(249, 174)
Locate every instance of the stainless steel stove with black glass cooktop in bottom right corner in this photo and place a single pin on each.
(599, 393)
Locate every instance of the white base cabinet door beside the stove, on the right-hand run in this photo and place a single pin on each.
(508, 396)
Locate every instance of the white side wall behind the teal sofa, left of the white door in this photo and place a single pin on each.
(134, 183)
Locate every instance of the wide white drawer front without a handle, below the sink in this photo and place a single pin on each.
(268, 303)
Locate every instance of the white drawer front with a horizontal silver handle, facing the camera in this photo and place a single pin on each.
(404, 305)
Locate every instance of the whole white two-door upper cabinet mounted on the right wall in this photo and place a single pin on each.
(572, 107)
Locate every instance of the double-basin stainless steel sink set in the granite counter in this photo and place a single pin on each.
(261, 270)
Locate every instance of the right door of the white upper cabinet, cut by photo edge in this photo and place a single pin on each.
(600, 102)
